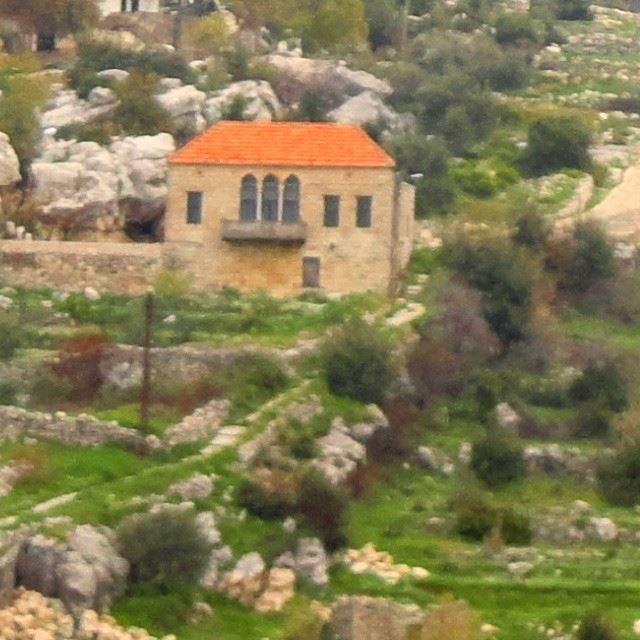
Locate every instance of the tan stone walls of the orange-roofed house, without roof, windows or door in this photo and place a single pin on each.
(350, 258)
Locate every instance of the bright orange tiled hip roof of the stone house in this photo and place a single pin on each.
(300, 144)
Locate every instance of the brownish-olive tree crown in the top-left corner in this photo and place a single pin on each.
(54, 17)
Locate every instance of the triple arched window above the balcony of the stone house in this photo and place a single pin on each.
(268, 201)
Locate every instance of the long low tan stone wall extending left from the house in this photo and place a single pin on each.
(71, 266)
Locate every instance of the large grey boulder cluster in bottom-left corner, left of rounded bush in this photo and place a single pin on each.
(85, 572)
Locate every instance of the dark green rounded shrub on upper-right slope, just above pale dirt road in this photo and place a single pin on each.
(555, 143)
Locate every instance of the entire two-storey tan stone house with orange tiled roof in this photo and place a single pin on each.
(288, 207)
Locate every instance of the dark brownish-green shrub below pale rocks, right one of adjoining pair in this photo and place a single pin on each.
(324, 506)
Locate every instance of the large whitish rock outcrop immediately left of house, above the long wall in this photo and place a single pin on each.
(83, 186)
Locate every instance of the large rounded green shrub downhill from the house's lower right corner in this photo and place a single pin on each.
(356, 363)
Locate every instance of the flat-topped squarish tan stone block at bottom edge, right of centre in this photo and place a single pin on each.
(365, 618)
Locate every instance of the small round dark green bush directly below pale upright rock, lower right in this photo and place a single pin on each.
(497, 459)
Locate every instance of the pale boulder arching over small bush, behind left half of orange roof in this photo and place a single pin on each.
(260, 100)
